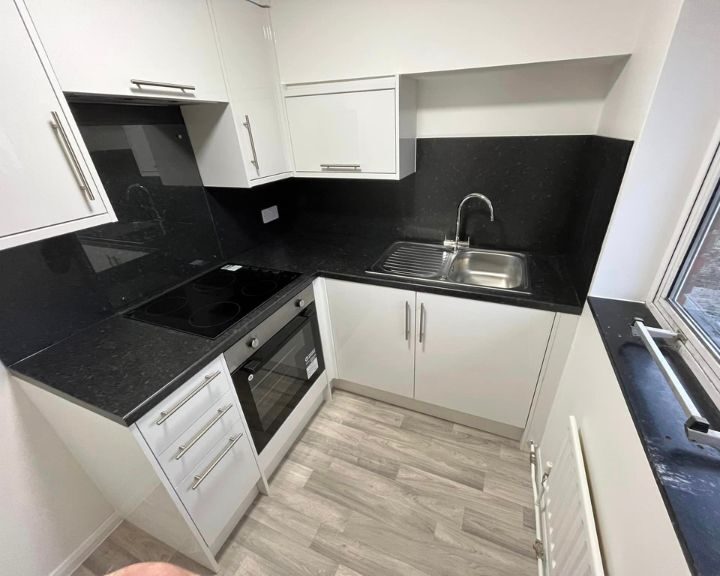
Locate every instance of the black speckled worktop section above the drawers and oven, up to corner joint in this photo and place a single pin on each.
(121, 368)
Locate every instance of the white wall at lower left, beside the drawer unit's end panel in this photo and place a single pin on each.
(50, 507)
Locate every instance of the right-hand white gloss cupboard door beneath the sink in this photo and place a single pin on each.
(479, 358)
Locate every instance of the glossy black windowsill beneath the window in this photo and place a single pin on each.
(688, 475)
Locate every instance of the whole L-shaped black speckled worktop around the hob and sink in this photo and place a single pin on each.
(121, 368)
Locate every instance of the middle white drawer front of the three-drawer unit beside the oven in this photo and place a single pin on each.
(194, 445)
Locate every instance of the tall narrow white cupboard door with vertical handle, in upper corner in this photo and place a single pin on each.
(248, 53)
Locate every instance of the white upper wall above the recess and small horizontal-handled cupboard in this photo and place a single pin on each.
(335, 39)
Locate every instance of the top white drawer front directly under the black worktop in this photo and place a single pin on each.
(174, 415)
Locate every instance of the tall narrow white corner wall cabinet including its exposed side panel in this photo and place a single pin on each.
(245, 143)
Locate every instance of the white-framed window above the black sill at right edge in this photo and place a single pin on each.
(688, 297)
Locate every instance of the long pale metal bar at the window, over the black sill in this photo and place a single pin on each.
(697, 428)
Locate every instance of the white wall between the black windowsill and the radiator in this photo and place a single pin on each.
(634, 527)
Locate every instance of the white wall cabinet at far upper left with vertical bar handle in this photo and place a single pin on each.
(49, 186)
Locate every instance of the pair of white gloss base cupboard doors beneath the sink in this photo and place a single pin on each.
(477, 358)
